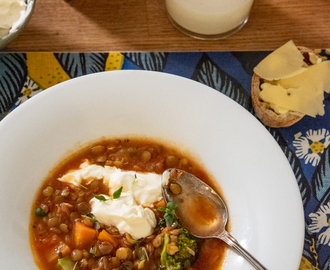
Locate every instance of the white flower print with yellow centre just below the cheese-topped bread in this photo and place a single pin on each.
(310, 147)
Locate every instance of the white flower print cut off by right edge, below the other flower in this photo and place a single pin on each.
(321, 222)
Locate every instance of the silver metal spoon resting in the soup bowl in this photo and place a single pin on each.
(200, 209)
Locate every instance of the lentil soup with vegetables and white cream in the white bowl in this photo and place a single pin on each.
(72, 228)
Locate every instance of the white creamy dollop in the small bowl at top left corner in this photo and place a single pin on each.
(12, 13)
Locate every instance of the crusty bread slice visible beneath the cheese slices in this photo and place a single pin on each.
(263, 110)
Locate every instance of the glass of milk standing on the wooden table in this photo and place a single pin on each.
(209, 19)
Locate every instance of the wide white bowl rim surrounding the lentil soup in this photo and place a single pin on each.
(264, 202)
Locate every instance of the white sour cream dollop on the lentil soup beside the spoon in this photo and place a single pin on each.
(126, 213)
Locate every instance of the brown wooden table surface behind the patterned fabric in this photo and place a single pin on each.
(142, 25)
